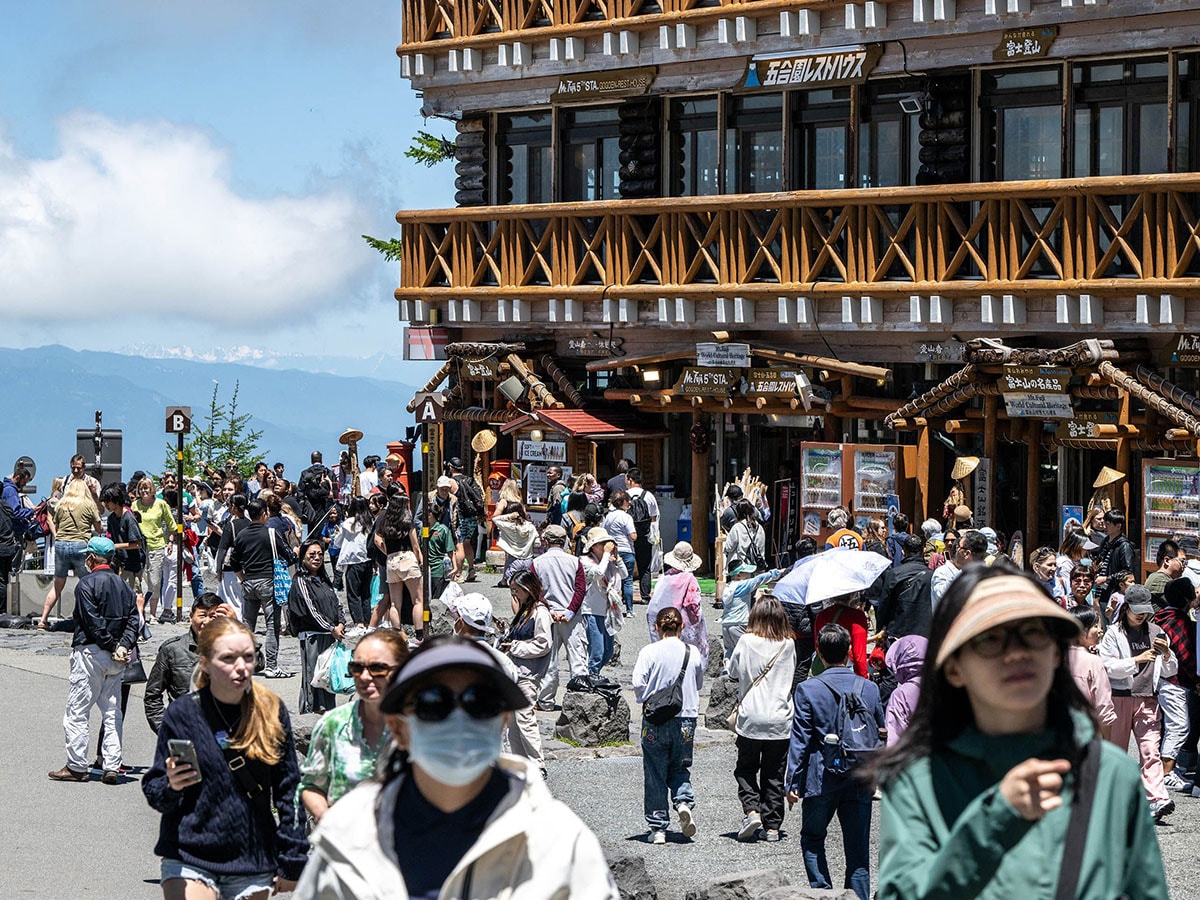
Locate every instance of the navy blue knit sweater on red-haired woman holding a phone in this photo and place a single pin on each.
(214, 825)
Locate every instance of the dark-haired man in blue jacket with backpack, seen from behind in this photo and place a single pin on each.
(838, 725)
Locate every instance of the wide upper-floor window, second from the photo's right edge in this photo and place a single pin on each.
(1120, 117)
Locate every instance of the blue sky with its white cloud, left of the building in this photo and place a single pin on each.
(200, 175)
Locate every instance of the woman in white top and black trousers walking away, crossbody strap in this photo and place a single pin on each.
(763, 665)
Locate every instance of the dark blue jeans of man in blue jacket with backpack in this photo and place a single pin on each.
(853, 803)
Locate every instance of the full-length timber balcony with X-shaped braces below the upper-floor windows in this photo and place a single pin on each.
(1118, 236)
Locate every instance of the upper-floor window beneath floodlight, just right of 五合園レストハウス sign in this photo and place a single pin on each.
(889, 148)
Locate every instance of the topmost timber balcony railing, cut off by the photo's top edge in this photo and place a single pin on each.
(442, 25)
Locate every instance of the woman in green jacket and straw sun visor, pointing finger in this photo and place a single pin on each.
(980, 790)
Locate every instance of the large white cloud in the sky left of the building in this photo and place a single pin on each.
(141, 220)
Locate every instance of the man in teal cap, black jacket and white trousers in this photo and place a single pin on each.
(106, 621)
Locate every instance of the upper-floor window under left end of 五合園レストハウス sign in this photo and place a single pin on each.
(754, 145)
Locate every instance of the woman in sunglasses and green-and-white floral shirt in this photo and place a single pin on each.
(347, 742)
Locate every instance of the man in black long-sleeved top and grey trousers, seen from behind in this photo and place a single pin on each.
(254, 560)
